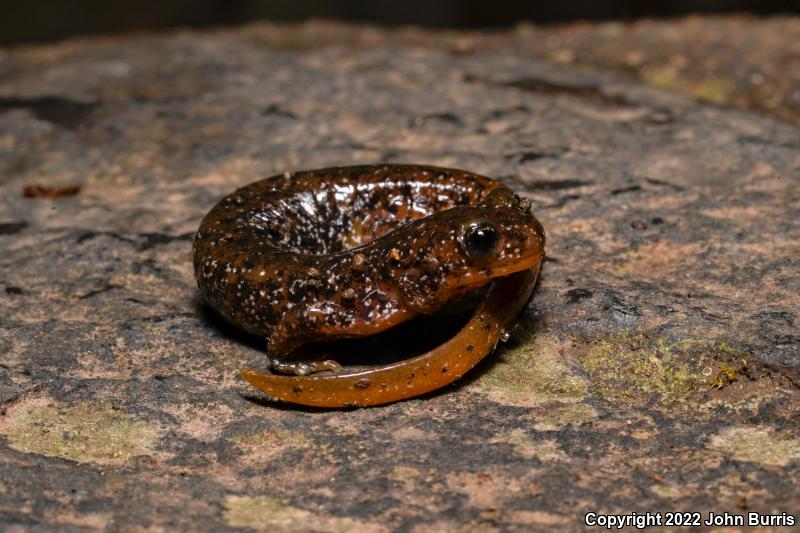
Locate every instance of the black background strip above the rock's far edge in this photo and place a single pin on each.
(42, 20)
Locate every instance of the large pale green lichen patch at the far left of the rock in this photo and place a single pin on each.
(83, 432)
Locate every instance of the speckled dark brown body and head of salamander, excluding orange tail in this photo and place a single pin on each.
(352, 251)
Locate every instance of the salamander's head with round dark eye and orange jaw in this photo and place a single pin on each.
(461, 249)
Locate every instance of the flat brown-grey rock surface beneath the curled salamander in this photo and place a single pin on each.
(656, 369)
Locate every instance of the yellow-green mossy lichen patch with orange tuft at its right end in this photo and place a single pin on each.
(631, 367)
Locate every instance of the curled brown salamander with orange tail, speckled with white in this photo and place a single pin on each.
(347, 252)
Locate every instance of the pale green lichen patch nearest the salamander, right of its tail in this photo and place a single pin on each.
(532, 374)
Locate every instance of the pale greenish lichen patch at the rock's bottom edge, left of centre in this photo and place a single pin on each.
(270, 514)
